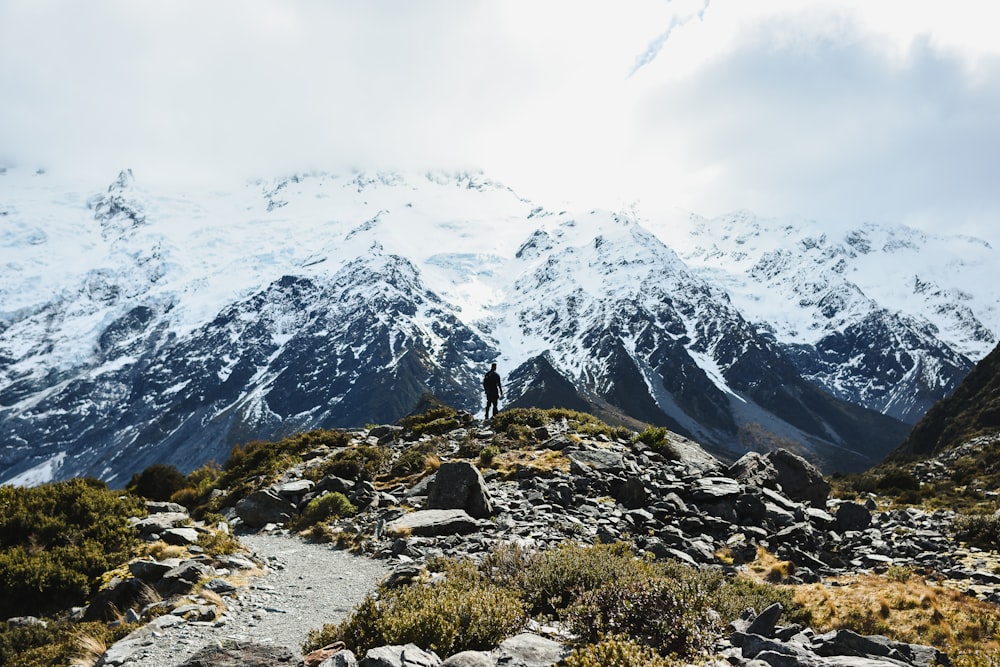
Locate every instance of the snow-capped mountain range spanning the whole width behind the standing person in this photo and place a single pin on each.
(139, 325)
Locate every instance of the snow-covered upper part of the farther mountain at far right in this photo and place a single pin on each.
(791, 275)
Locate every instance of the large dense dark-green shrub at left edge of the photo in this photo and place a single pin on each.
(56, 539)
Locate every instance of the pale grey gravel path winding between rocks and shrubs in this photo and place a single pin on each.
(305, 586)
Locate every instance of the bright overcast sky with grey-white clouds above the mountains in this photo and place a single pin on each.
(841, 111)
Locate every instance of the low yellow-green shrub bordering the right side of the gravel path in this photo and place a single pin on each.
(446, 618)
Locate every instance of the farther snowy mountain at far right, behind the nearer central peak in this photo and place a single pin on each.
(887, 317)
